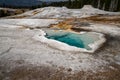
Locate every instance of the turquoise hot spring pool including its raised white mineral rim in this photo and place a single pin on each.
(71, 41)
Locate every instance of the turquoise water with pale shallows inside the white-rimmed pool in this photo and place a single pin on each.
(73, 39)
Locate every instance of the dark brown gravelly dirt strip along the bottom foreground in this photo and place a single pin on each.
(47, 73)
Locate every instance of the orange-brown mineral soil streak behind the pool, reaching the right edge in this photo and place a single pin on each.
(76, 23)
